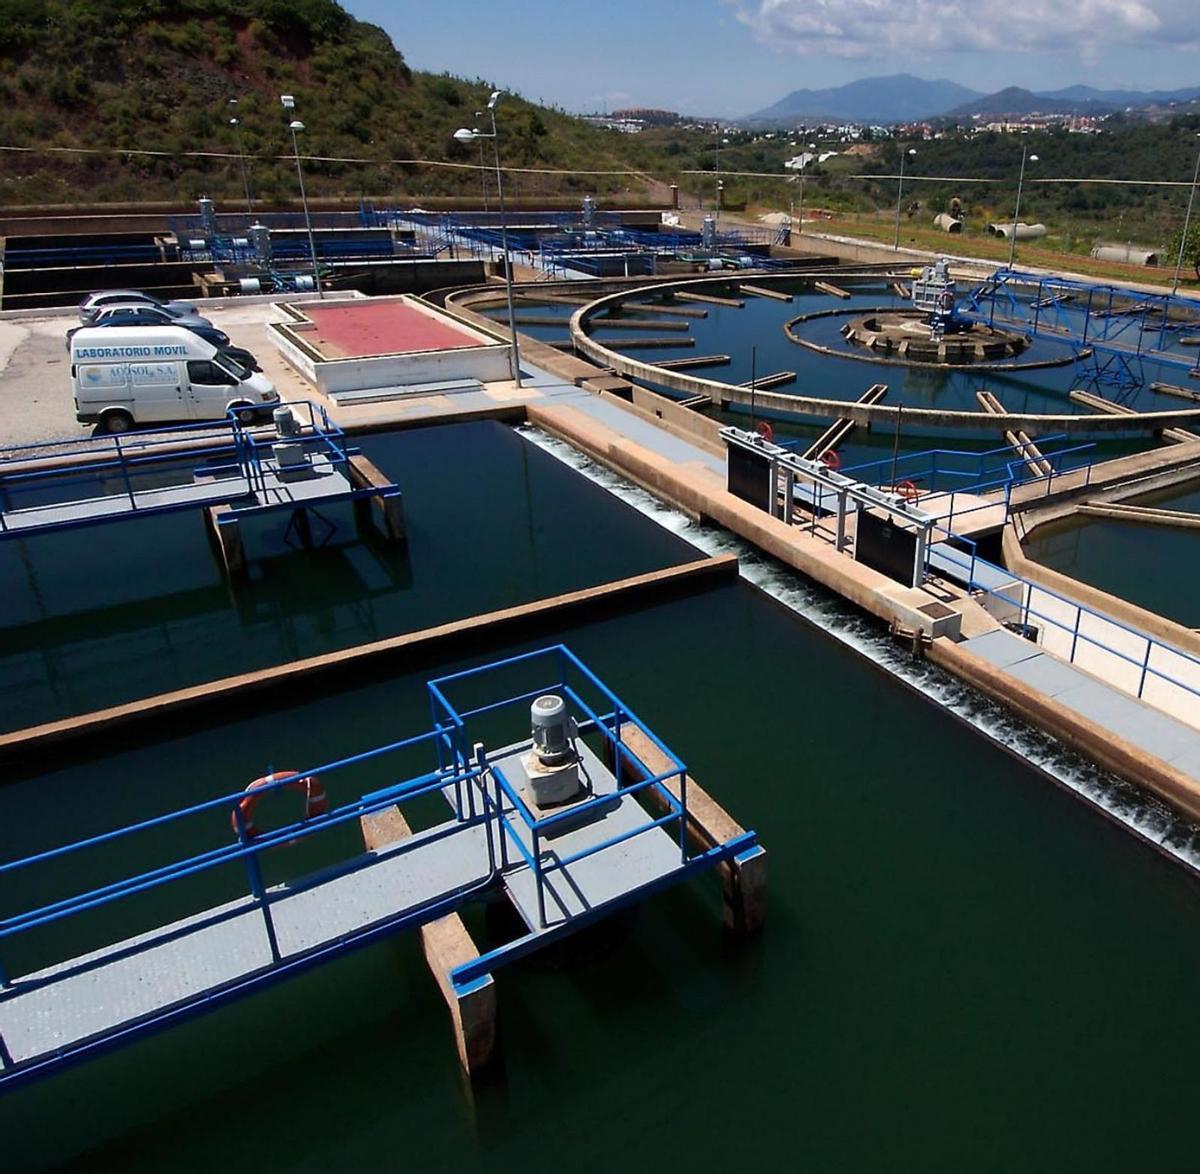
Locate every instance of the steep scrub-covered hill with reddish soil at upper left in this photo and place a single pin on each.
(122, 76)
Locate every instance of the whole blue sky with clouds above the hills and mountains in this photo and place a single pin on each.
(733, 57)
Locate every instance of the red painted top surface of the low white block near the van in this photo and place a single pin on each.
(381, 328)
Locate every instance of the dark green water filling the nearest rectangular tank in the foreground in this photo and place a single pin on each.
(964, 968)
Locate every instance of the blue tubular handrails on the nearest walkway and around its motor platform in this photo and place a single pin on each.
(482, 796)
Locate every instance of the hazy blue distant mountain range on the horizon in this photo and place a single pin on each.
(908, 99)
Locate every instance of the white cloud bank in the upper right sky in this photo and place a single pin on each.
(901, 29)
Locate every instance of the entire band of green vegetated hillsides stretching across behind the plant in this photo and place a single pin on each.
(131, 101)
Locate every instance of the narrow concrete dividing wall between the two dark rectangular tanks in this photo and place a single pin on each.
(398, 652)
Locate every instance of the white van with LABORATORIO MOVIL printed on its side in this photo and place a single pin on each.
(127, 378)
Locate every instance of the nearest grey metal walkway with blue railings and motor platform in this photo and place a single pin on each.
(562, 871)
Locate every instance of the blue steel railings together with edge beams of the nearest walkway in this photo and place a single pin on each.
(466, 708)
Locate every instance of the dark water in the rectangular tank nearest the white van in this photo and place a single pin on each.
(103, 616)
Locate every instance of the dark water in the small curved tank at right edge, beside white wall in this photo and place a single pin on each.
(1153, 566)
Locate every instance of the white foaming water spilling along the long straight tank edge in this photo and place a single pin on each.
(1124, 802)
